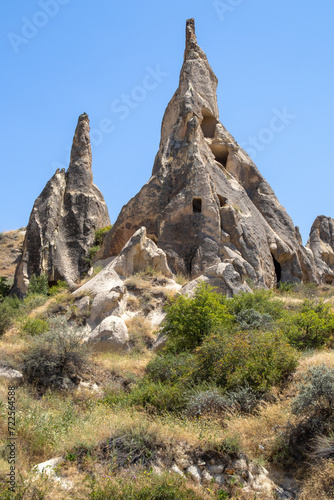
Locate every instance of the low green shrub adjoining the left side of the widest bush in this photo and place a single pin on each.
(171, 368)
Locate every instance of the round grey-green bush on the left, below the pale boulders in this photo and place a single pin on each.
(56, 358)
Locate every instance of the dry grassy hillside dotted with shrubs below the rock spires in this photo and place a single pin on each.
(246, 382)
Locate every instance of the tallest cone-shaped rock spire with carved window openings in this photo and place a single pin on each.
(206, 202)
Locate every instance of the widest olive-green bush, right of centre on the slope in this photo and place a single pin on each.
(257, 359)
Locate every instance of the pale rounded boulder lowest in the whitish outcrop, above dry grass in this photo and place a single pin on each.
(110, 335)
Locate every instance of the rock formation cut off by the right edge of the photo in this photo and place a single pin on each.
(321, 245)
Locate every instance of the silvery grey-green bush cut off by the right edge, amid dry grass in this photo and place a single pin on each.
(316, 393)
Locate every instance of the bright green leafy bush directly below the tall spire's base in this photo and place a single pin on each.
(189, 320)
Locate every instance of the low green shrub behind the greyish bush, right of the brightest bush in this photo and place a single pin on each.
(262, 301)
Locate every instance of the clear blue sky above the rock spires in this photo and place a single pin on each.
(61, 58)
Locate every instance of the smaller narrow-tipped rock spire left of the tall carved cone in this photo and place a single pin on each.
(64, 219)
